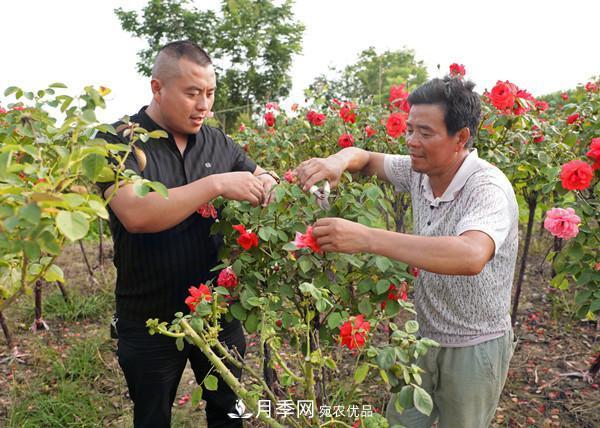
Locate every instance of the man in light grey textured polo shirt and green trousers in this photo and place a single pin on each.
(464, 241)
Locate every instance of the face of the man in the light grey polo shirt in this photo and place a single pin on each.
(432, 151)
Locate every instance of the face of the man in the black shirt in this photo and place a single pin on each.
(185, 101)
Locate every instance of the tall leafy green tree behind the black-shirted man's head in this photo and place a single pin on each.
(252, 43)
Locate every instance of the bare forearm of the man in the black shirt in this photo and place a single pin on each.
(154, 213)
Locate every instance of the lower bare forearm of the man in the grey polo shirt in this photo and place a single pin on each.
(447, 255)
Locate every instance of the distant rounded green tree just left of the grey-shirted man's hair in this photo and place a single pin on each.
(372, 75)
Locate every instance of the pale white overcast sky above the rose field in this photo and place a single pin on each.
(541, 46)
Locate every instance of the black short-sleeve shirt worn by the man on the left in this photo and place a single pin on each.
(155, 270)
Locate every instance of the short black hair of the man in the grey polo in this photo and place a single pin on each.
(462, 106)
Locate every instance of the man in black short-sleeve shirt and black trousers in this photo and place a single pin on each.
(163, 246)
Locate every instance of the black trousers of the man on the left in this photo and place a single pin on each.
(153, 366)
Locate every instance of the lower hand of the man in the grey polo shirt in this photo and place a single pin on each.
(342, 236)
